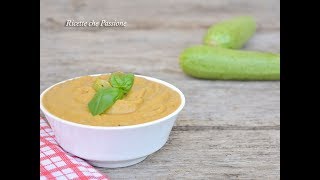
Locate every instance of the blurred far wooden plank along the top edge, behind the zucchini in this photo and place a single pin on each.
(165, 14)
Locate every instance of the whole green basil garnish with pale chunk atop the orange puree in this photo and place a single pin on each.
(106, 96)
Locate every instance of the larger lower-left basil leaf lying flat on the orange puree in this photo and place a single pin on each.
(104, 99)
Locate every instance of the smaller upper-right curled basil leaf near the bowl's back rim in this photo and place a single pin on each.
(122, 81)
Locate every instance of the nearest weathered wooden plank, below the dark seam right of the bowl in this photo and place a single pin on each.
(210, 154)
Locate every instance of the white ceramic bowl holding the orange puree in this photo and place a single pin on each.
(113, 147)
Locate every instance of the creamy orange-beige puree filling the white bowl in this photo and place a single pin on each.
(146, 101)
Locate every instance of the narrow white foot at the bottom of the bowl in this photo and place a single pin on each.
(116, 164)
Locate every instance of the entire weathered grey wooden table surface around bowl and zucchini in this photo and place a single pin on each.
(227, 130)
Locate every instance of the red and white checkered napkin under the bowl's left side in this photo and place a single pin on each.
(57, 164)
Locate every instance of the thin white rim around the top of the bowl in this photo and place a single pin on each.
(153, 122)
